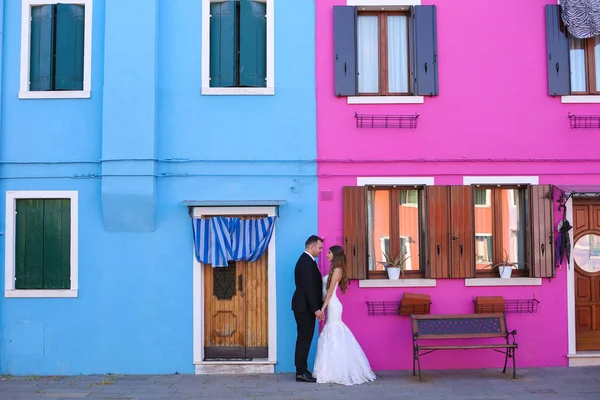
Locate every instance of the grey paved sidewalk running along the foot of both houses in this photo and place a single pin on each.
(548, 383)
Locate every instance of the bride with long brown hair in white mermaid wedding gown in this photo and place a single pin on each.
(340, 359)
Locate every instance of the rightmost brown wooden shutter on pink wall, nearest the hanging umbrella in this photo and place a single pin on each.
(542, 231)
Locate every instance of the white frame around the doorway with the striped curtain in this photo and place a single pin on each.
(257, 365)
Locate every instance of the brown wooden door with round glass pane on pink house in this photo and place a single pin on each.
(586, 254)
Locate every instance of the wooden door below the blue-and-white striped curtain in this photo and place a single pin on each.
(236, 310)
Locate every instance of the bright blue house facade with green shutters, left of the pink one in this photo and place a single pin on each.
(120, 121)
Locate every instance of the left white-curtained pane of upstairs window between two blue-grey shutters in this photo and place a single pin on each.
(368, 54)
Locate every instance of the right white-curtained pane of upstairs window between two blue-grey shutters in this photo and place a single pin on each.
(397, 54)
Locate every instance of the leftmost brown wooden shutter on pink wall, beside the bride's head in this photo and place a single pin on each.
(355, 231)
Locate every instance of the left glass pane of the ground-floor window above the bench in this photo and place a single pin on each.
(483, 229)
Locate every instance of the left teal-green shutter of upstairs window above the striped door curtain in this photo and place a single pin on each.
(223, 44)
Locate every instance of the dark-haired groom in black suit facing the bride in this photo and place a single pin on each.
(306, 304)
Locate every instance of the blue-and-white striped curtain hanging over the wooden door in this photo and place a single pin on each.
(218, 240)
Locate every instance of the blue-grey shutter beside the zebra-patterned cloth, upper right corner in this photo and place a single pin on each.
(557, 41)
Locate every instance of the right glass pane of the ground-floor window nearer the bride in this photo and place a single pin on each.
(408, 214)
